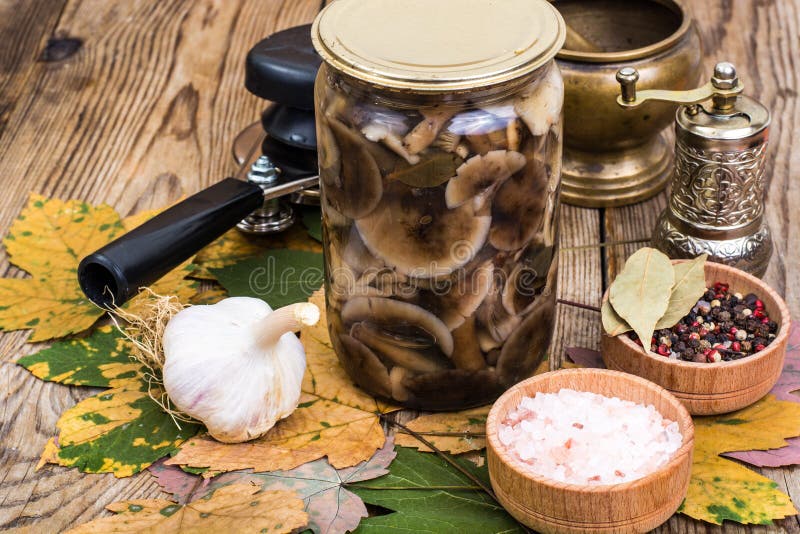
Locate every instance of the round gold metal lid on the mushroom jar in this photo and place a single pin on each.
(438, 46)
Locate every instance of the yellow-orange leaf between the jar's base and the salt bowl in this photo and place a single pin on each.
(454, 432)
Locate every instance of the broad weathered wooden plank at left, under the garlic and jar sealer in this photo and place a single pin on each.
(143, 113)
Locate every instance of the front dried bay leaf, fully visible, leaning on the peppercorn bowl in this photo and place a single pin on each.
(640, 294)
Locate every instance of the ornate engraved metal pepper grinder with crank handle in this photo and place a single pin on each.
(716, 205)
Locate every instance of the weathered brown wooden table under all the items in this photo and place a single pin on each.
(145, 110)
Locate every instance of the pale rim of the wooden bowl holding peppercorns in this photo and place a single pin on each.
(783, 332)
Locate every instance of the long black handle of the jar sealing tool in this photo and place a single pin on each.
(116, 272)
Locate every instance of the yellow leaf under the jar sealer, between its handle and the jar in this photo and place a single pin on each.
(235, 246)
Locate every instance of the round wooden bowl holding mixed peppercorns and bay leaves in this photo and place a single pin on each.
(711, 388)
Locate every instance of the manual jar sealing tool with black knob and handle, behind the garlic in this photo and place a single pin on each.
(278, 161)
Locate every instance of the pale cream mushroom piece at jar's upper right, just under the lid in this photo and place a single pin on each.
(540, 107)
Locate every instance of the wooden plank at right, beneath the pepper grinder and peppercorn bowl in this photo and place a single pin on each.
(760, 39)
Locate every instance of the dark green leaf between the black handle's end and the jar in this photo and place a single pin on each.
(279, 276)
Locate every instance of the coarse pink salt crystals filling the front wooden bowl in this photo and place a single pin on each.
(584, 438)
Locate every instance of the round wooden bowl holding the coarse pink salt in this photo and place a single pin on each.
(548, 505)
